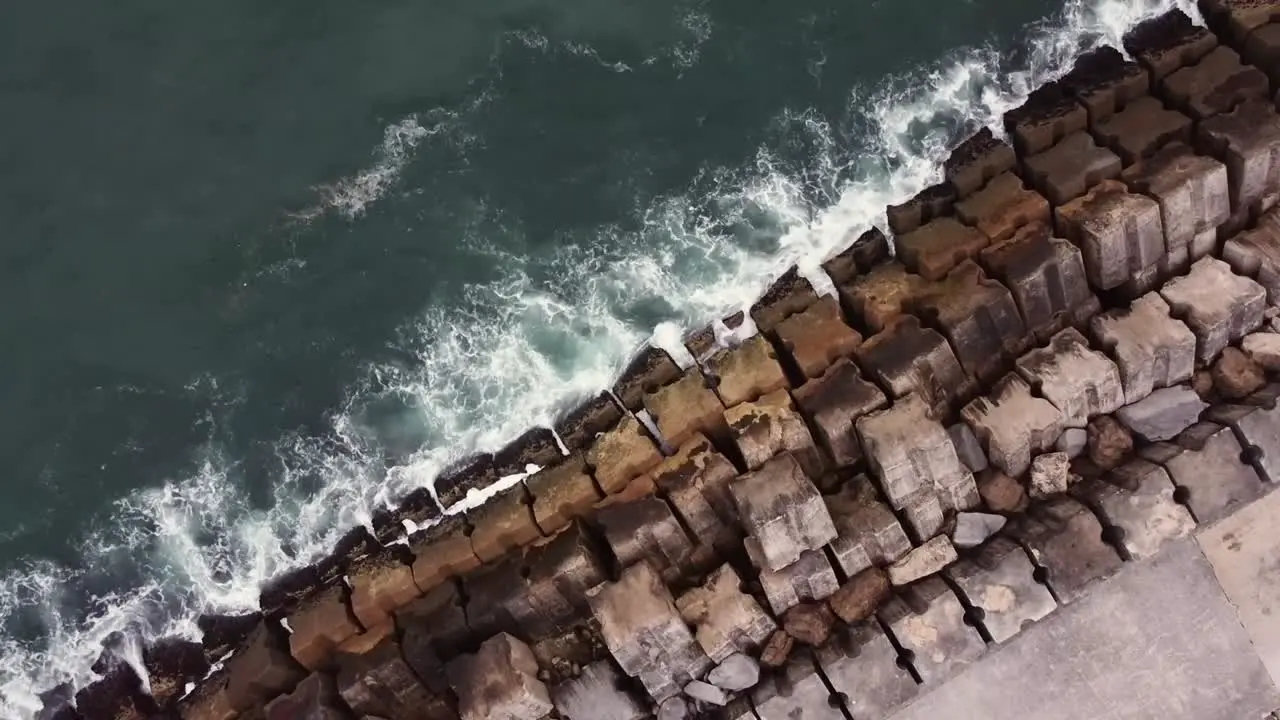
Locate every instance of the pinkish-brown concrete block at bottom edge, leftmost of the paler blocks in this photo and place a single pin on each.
(500, 682)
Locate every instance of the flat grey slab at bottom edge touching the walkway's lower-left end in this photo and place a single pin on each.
(862, 666)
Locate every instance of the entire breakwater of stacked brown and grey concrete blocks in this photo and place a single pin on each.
(1030, 356)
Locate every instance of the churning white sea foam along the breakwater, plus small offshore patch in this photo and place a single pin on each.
(518, 350)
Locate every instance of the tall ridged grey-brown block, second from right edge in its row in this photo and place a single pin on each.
(1192, 192)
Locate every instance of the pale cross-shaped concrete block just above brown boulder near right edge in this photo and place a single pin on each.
(1217, 304)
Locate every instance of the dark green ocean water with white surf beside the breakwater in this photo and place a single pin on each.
(267, 267)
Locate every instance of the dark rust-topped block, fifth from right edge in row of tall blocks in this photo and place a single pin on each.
(979, 318)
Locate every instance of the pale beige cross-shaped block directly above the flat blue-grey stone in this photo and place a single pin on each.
(1151, 349)
